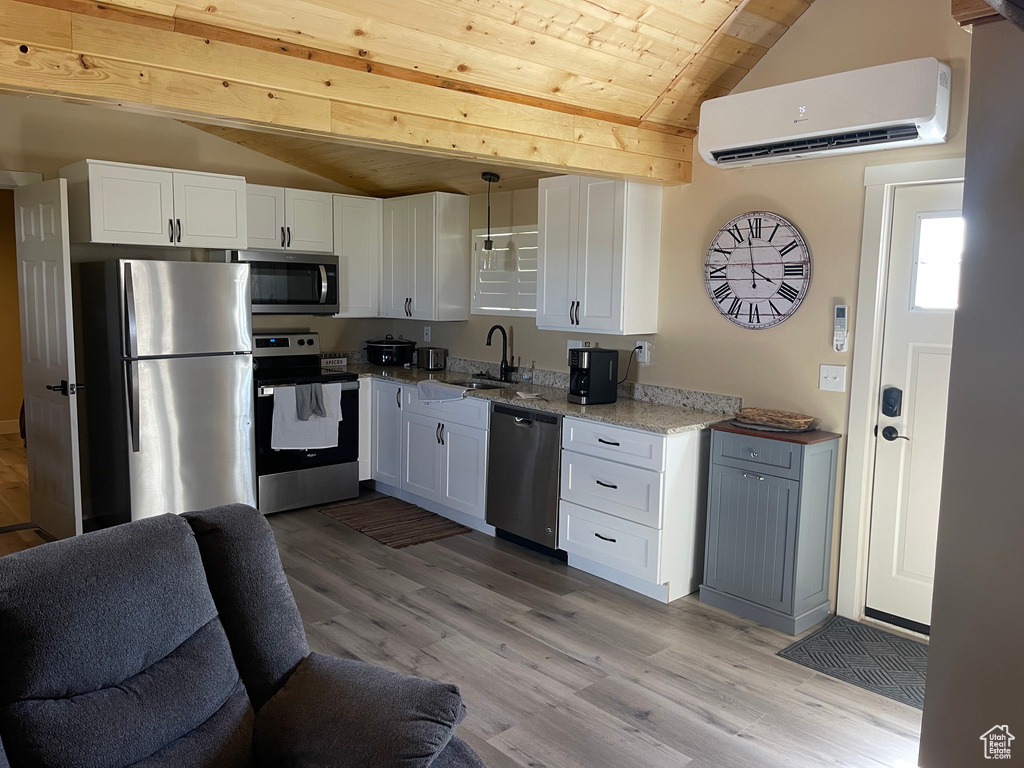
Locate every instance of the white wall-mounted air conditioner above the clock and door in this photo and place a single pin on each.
(899, 105)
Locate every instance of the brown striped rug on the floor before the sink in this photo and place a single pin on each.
(395, 523)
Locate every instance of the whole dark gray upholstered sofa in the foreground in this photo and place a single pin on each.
(176, 642)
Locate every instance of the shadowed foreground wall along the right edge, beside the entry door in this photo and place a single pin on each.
(975, 675)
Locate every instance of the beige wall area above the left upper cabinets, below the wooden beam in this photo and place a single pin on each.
(44, 136)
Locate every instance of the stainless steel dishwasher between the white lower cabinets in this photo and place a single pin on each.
(523, 474)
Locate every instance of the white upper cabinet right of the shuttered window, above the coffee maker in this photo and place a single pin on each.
(599, 255)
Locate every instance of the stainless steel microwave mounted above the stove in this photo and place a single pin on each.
(289, 283)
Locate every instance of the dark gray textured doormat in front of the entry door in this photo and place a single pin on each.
(869, 658)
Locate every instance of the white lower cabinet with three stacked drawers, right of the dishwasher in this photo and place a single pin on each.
(631, 506)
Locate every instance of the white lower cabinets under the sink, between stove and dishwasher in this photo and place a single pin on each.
(433, 454)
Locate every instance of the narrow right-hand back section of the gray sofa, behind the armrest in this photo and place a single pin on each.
(249, 587)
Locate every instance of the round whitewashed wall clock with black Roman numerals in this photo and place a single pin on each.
(758, 270)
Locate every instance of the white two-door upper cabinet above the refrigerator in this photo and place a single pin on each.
(142, 205)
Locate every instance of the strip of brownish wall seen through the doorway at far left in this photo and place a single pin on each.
(11, 330)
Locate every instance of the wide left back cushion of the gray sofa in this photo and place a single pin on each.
(110, 647)
